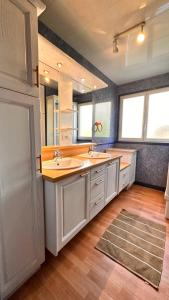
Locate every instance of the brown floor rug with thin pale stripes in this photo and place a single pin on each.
(136, 243)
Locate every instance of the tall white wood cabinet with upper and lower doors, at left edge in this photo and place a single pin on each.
(21, 194)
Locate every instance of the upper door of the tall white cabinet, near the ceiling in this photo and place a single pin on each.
(19, 46)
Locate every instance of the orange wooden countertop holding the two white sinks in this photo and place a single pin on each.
(56, 175)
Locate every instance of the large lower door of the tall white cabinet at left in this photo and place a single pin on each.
(21, 201)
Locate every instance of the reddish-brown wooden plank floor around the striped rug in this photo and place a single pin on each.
(82, 272)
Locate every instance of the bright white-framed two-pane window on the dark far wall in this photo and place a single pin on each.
(145, 116)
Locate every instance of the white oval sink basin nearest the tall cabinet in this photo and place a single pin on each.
(62, 163)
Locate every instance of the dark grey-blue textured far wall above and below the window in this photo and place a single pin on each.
(153, 159)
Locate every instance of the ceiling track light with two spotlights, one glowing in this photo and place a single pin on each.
(140, 37)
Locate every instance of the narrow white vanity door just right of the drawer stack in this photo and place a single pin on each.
(112, 179)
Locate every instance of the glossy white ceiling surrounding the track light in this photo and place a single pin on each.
(89, 25)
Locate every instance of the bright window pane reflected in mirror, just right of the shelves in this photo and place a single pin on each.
(85, 115)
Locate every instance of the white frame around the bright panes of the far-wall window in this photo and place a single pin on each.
(143, 139)
